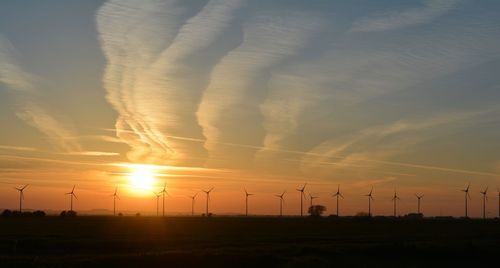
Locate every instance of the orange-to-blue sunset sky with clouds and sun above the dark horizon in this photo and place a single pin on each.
(258, 95)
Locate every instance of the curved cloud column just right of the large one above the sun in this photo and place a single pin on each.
(268, 39)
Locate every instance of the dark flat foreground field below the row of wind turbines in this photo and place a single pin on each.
(244, 242)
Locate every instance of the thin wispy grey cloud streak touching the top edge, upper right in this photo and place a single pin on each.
(393, 20)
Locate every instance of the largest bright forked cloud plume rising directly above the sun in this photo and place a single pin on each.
(149, 83)
